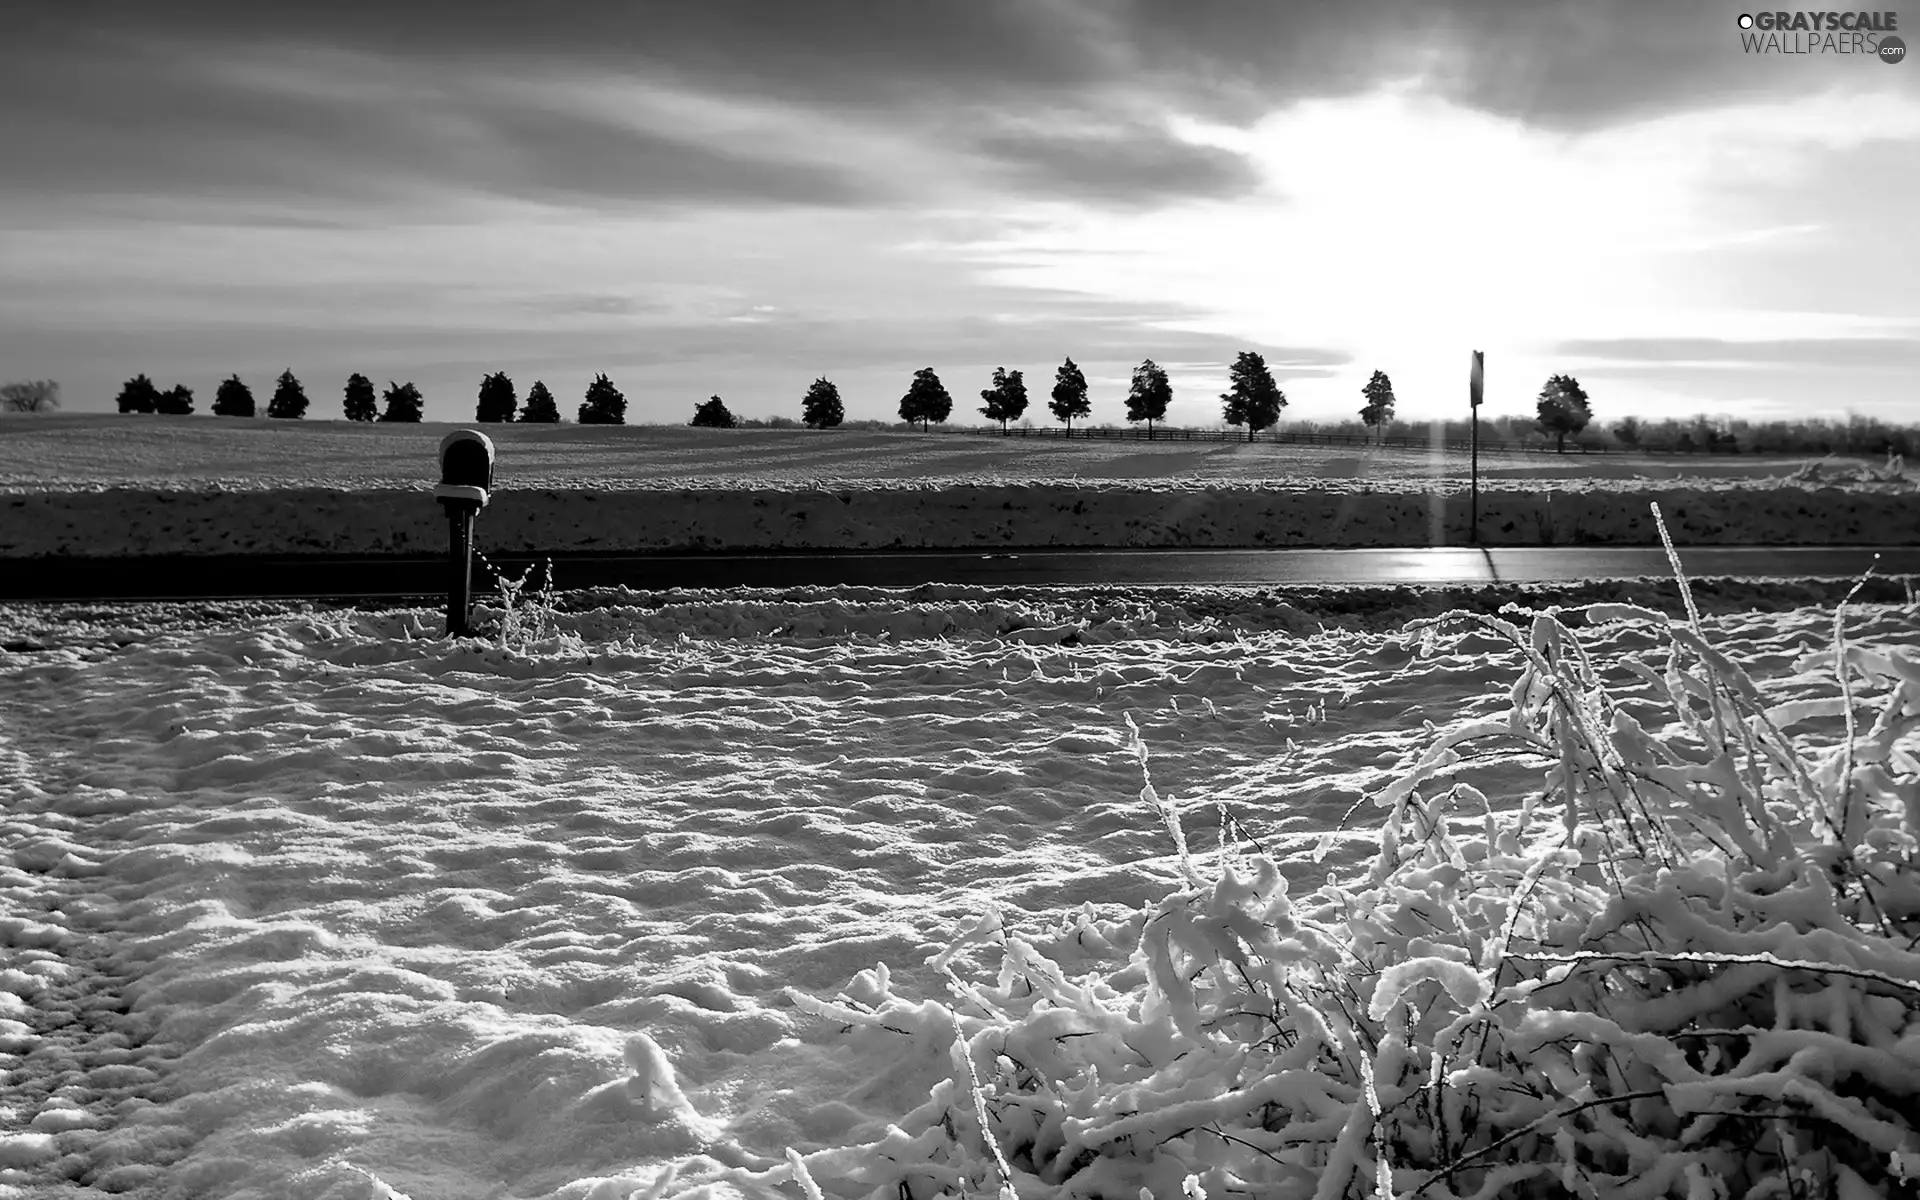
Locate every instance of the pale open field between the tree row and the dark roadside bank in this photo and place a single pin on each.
(84, 450)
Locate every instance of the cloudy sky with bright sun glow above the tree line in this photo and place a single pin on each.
(732, 199)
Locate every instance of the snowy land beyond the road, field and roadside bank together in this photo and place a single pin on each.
(95, 485)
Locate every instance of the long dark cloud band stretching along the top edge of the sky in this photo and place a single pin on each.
(1552, 62)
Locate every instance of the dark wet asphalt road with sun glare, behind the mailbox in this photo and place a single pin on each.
(427, 577)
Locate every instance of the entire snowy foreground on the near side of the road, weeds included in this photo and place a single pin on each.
(650, 900)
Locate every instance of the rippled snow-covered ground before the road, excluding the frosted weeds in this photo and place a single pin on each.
(316, 905)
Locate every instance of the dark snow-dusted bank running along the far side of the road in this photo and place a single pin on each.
(951, 516)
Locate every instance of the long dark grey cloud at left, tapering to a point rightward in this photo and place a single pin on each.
(145, 124)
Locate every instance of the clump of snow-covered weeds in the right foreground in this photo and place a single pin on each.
(1692, 976)
